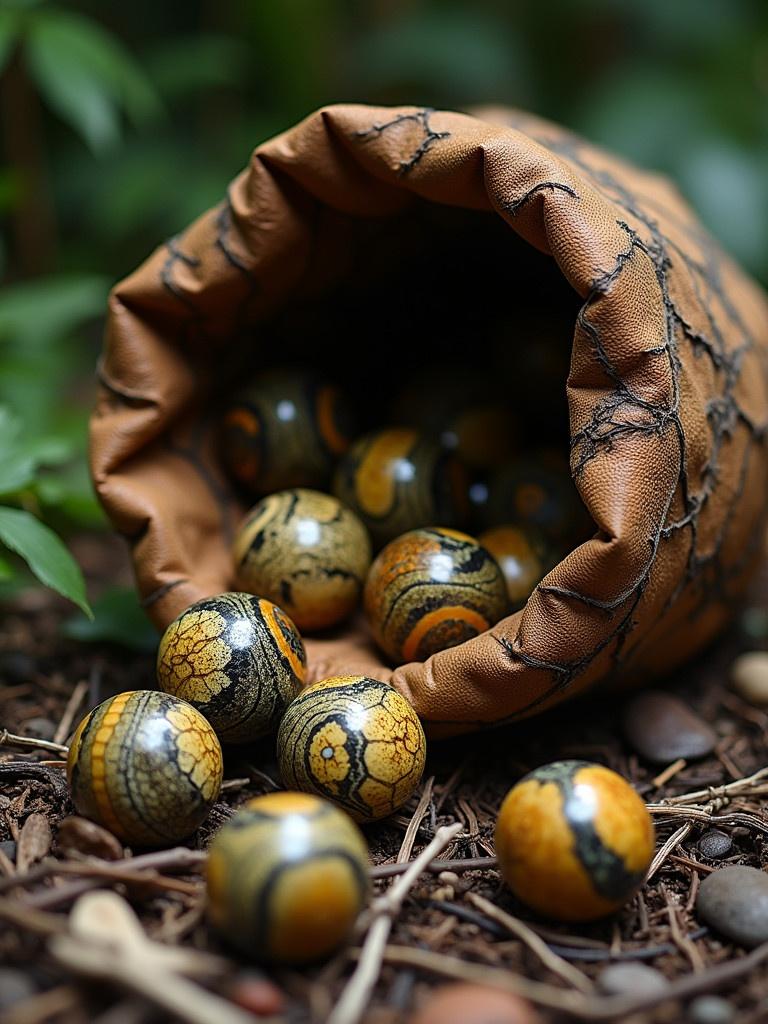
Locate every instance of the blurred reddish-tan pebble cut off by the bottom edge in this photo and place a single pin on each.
(464, 1004)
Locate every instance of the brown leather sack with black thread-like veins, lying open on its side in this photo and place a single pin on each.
(667, 391)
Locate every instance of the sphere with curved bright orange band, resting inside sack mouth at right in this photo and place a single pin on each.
(433, 589)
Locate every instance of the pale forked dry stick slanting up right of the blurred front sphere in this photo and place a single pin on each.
(356, 997)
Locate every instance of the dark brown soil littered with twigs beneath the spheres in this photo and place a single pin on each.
(40, 672)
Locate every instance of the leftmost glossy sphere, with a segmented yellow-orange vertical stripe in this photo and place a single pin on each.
(147, 766)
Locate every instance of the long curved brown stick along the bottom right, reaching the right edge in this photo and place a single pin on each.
(585, 1008)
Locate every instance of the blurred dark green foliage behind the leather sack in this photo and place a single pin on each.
(121, 122)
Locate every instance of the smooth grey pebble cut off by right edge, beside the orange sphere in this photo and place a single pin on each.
(735, 902)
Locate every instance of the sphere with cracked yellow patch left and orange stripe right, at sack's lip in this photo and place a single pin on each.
(236, 658)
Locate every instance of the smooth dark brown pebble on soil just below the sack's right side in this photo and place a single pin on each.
(662, 729)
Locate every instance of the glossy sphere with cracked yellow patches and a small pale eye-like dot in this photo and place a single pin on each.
(355, 741)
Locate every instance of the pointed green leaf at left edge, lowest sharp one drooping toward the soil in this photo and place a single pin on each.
(45, 553)
